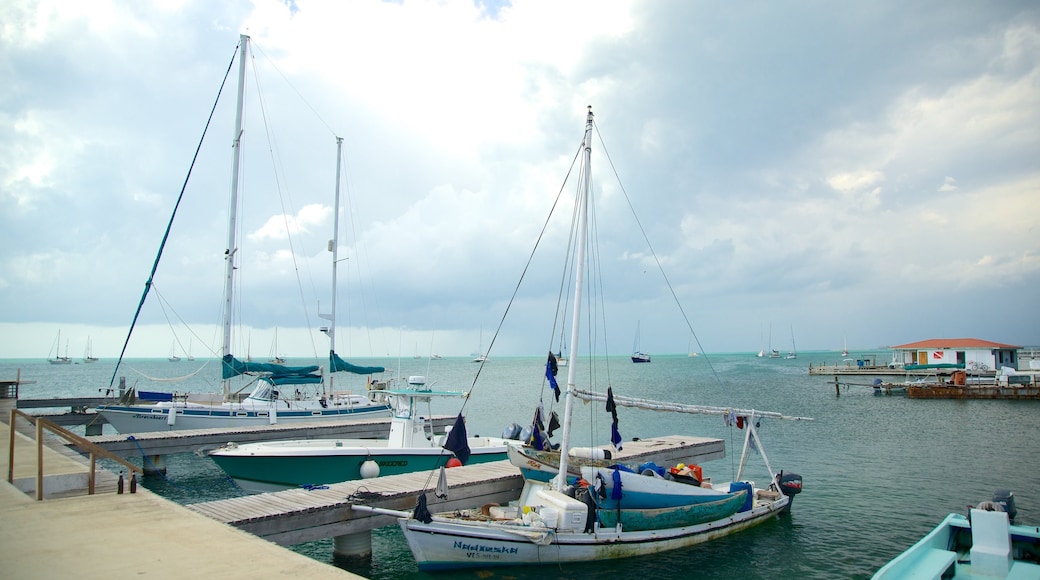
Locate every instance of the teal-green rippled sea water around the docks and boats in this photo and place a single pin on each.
(879, 471)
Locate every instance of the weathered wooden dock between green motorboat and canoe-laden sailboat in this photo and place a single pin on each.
(298, 516)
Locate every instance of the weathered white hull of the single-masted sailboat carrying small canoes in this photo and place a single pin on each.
(450, 545)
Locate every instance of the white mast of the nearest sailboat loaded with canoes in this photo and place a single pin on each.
(577, 312)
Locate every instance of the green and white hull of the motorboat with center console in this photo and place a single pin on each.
(295, 464)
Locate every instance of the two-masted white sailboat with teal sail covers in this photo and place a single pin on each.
(282, 394)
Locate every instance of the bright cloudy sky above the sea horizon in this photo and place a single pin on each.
(808, 174)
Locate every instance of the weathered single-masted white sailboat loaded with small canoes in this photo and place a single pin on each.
(636, 515)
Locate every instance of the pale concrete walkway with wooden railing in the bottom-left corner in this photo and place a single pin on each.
(111, 536)
